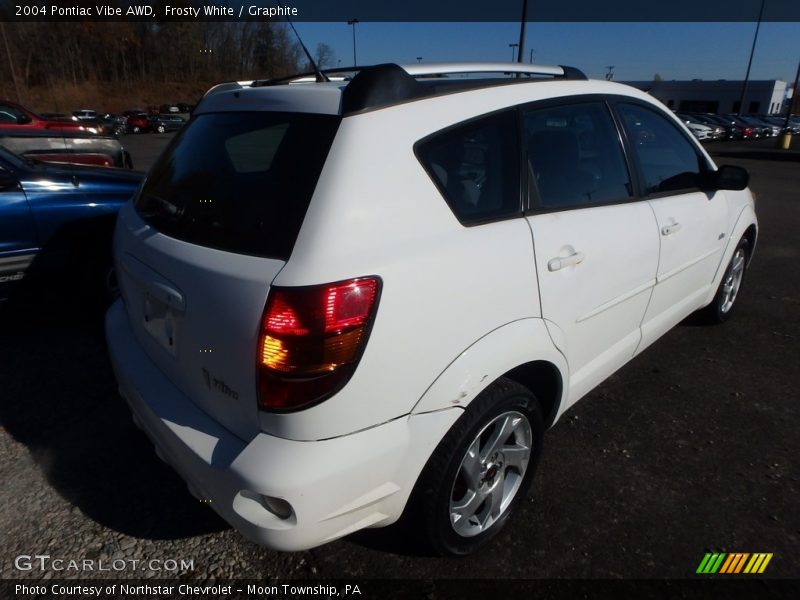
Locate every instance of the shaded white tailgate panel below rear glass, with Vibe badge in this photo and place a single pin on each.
(212, 358)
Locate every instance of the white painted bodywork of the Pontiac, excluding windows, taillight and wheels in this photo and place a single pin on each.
(460, 306)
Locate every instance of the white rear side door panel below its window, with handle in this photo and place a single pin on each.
(597, 304)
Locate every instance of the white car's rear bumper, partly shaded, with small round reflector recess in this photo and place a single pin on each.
(334, 487)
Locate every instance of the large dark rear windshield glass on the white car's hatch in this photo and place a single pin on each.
(239, 181)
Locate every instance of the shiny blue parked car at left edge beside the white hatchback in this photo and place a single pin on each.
(56, 222)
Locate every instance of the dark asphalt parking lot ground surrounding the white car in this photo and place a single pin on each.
(692, 447)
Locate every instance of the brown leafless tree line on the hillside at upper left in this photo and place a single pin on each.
(49, 54)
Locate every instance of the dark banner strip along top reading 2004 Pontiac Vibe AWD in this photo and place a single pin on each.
(403, 10)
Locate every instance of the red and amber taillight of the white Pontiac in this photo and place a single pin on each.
(311, 339)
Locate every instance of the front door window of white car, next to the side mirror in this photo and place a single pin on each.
(668, 160)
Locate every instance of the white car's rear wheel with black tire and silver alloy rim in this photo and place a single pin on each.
(443, 485)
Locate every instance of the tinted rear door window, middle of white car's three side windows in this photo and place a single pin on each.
(575, 156)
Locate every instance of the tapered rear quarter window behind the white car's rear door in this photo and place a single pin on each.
(476, 167)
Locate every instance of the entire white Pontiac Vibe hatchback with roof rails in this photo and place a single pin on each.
(353, 298)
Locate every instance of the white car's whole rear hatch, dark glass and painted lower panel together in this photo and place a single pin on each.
(213, 225)
